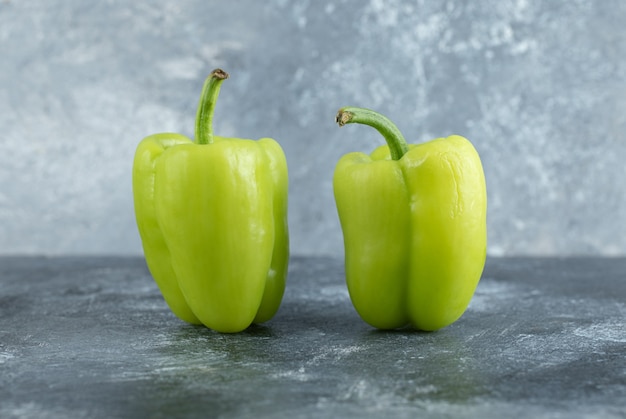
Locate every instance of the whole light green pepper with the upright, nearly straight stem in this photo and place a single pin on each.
(212, 216)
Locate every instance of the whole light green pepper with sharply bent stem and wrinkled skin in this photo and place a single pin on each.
(414, 226)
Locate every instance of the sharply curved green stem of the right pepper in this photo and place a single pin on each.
(395, 140)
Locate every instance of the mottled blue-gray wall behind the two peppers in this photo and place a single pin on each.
(538, 86)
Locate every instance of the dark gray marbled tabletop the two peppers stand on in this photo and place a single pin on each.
(92, 338)
